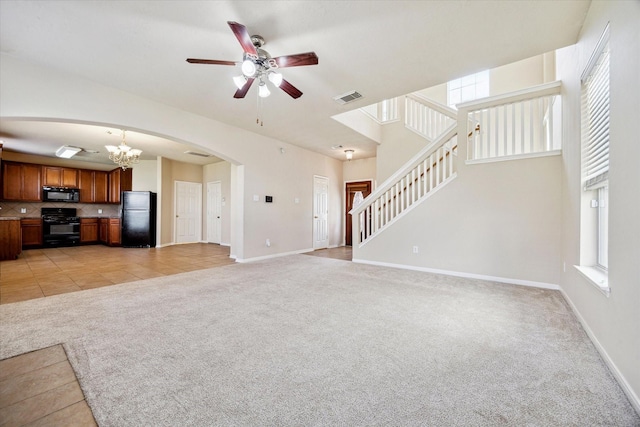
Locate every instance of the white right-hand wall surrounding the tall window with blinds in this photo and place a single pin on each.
(613, 322)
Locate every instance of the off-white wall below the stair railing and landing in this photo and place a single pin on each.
(499, 220)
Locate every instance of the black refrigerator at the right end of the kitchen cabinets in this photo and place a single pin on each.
(138, 219)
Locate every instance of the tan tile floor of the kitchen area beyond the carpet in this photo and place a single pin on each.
(39, 273)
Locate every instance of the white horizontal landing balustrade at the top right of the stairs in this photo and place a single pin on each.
(517, 124)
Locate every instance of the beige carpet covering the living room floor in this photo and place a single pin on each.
(312, 341)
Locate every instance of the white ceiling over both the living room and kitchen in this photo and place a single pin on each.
(381, 49)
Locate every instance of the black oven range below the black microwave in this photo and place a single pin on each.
(60, 227)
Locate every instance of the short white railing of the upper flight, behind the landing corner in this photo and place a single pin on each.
(427, 118)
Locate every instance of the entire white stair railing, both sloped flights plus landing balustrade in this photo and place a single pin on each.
(515, 125)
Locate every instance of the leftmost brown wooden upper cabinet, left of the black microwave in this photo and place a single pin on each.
(21, 182)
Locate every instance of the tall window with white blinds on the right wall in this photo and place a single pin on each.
(594, 233)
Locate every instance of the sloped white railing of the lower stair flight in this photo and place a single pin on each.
(426, 172)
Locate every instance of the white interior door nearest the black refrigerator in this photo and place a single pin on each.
(188, 205)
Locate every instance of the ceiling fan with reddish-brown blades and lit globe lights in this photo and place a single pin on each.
(257, 64)
